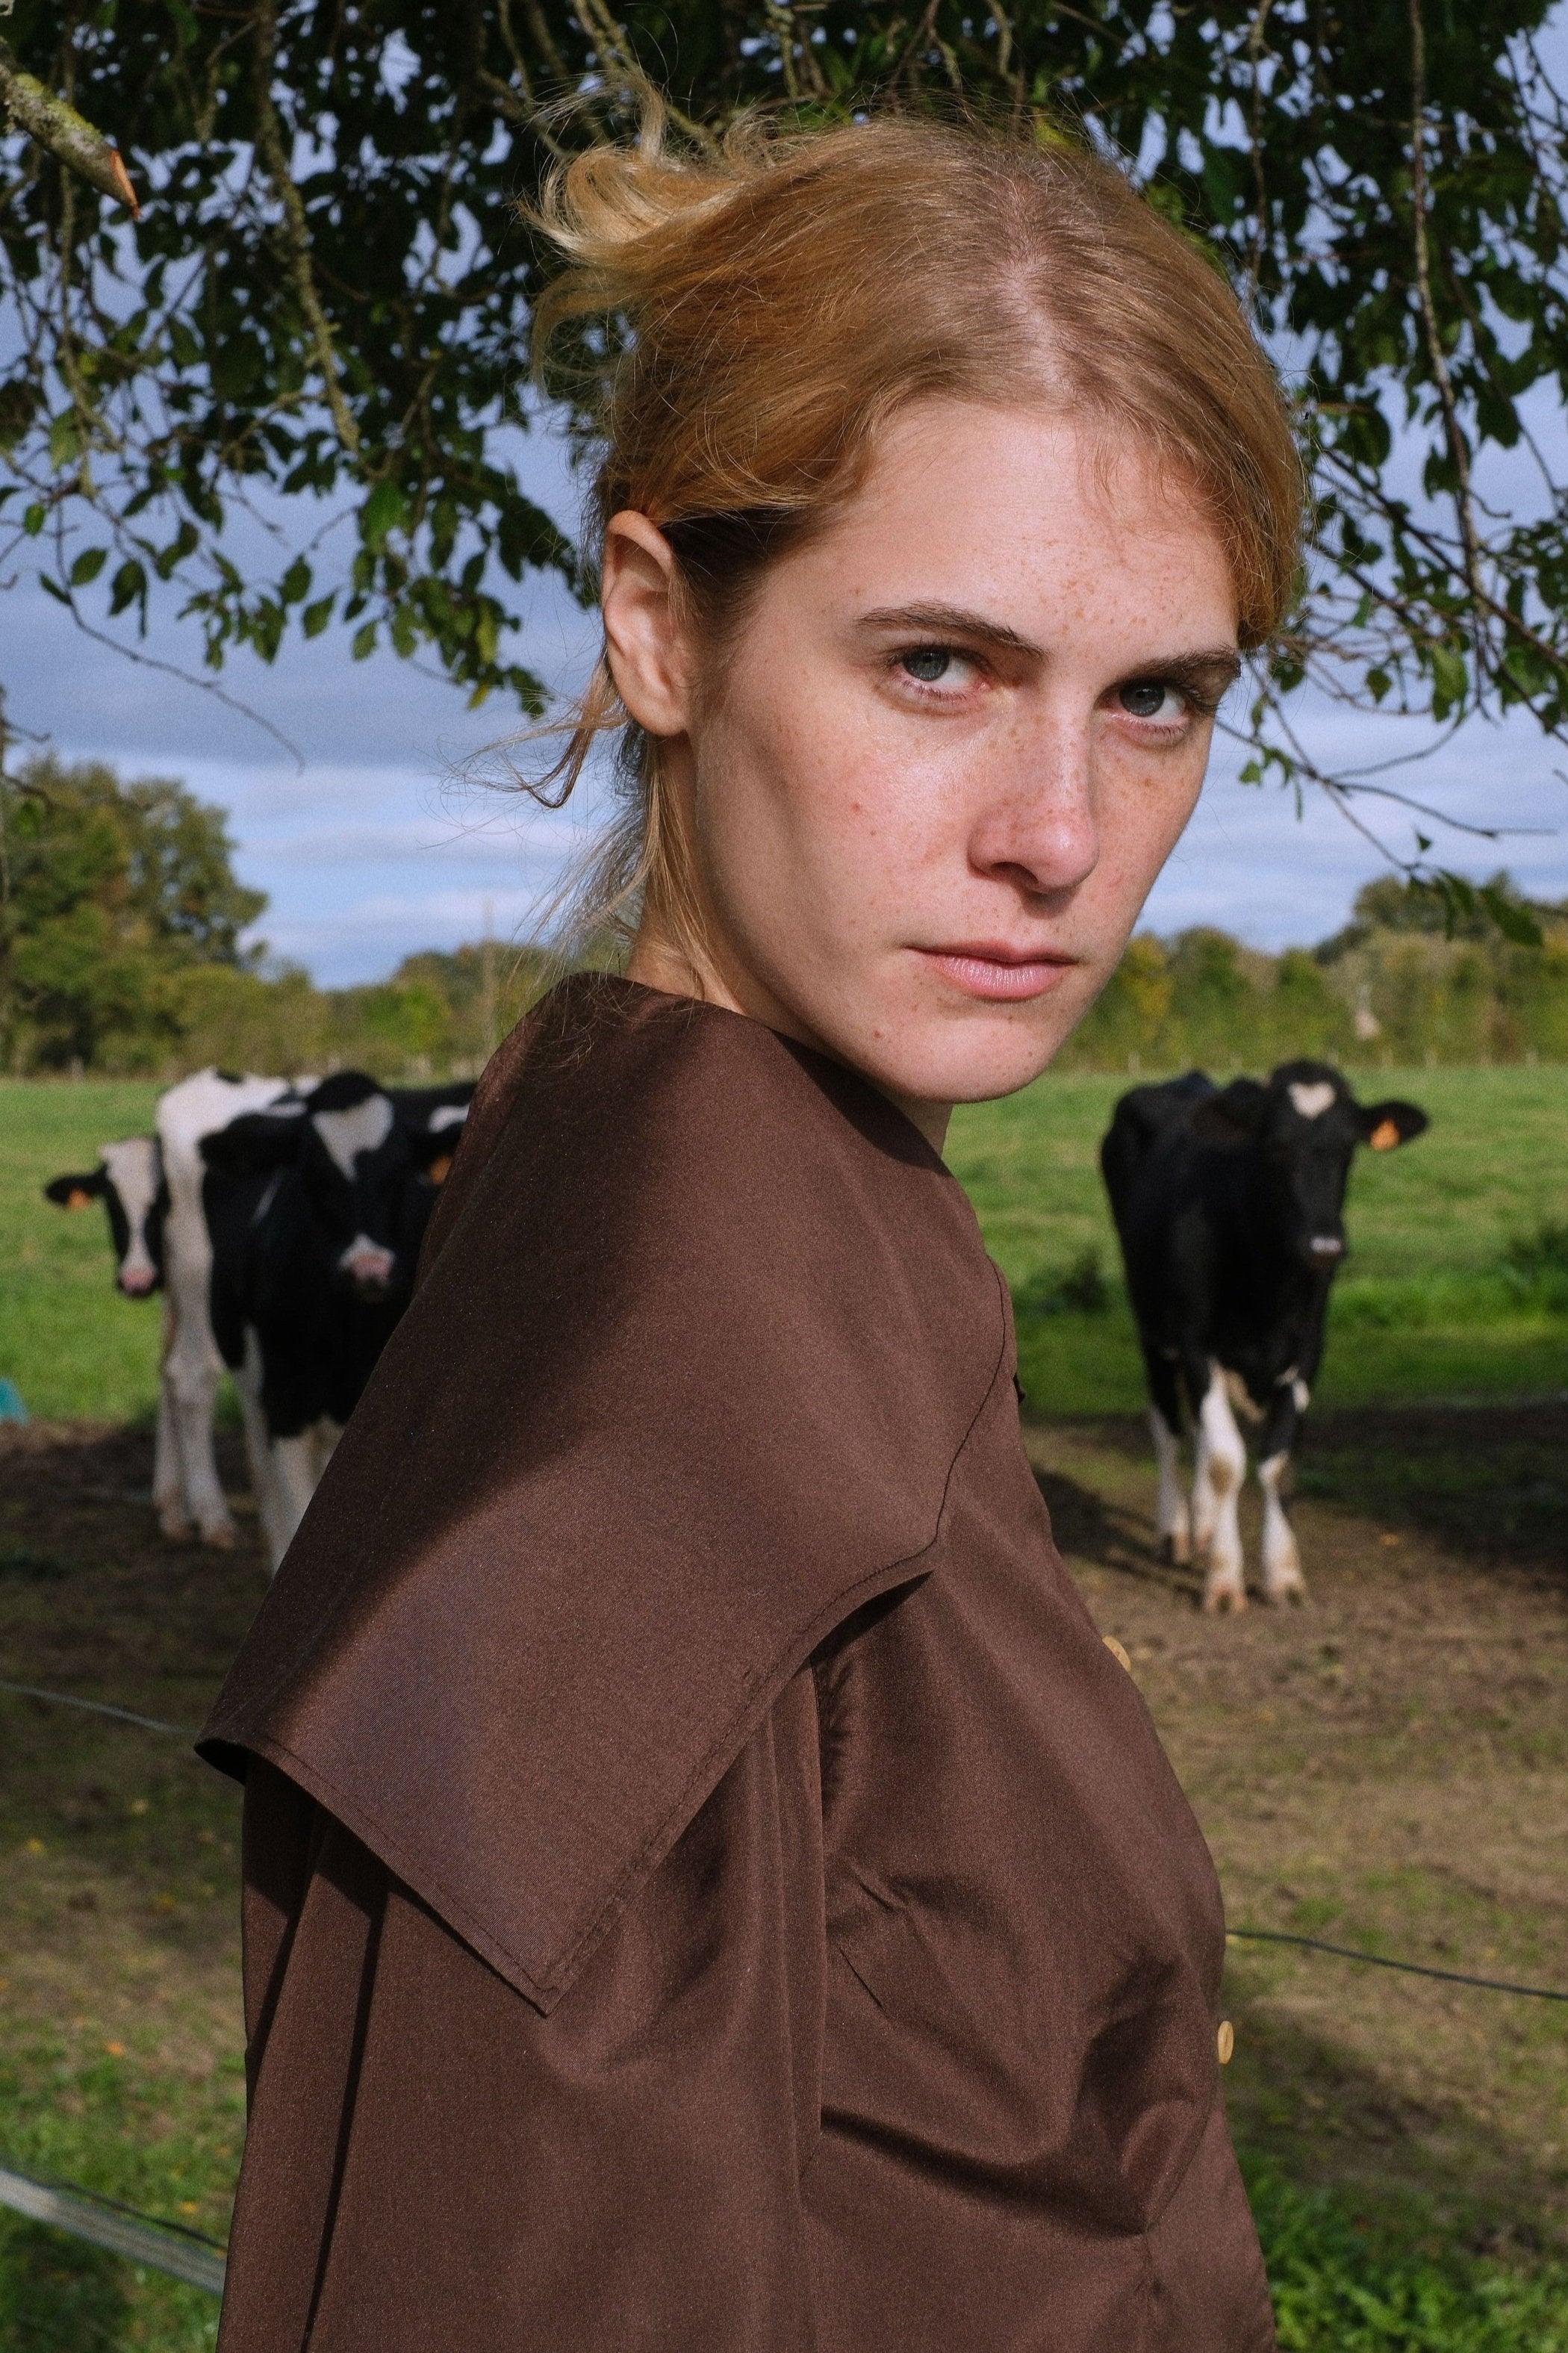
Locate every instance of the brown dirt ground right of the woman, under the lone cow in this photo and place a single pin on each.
(1383, 1768)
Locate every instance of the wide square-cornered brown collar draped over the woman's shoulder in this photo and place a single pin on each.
(644, 1439)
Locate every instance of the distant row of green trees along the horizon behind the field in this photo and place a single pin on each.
(121, 921)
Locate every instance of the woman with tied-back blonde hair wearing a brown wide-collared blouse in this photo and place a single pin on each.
(707, 1886)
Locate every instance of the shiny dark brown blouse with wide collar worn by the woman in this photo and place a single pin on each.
(707, 1884)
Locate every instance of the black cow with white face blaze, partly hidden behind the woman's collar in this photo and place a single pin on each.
(317, 1215)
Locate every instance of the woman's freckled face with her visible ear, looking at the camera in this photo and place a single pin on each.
(950, 752)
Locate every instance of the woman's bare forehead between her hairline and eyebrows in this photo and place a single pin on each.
(1032, 512)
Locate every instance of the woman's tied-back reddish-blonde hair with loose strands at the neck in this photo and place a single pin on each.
(788, 293)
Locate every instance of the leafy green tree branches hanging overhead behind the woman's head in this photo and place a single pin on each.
(293, 392)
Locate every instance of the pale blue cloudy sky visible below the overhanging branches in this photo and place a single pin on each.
(376, 846)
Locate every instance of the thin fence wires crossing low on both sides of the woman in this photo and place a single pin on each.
(187, 2255)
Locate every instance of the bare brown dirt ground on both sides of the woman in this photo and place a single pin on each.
(1386, 1768)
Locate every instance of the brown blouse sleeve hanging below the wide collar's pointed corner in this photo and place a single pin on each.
(434, 2164)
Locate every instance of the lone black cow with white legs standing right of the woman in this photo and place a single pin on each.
(1230, 1208)
